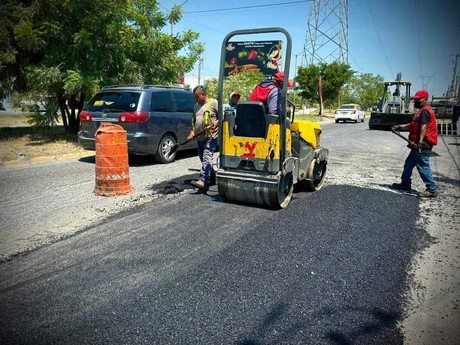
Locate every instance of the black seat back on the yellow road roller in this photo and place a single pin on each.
(251, 119)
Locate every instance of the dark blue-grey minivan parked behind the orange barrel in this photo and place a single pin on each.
(154, 117)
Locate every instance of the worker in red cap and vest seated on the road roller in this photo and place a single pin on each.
(269, 93)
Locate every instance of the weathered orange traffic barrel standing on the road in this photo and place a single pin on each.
(112, 167)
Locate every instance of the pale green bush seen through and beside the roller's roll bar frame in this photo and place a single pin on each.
(243, 82)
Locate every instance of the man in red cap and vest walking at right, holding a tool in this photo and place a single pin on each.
(423, 135)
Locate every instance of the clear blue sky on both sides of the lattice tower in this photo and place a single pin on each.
(419, 38)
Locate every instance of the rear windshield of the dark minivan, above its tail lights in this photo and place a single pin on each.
(113, 100)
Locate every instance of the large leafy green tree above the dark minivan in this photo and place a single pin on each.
(78, 46)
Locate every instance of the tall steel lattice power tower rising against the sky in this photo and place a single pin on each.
(327, 32)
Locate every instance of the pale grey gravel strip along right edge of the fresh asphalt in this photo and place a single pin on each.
(433, 314)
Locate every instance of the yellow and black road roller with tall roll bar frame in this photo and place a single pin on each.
(262, 156)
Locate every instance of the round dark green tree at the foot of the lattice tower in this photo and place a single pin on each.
(333, 76)
